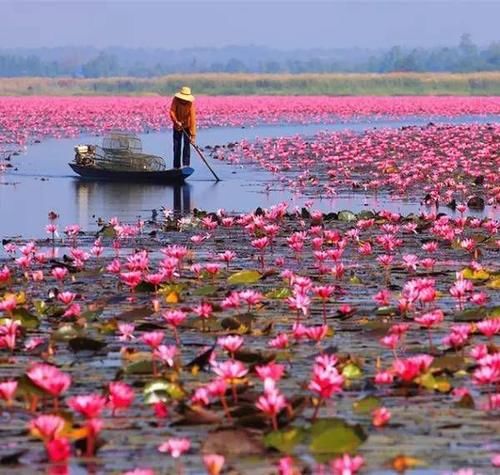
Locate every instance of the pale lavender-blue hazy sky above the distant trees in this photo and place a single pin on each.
(283, 24)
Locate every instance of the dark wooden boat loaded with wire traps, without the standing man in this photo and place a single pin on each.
(121, 159)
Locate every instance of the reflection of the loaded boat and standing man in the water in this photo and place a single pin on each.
(127, 200)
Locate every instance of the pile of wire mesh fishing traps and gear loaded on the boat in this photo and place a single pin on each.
(119, 152)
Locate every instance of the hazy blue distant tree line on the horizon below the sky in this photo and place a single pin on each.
(91, 63)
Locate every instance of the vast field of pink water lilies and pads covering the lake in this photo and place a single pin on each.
(280, 341)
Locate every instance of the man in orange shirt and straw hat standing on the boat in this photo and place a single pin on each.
(183, 115)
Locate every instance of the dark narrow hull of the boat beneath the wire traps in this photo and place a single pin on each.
(173, 175)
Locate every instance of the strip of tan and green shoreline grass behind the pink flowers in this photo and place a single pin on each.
(328, 84)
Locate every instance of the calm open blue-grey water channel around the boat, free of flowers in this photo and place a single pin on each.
(42, 181)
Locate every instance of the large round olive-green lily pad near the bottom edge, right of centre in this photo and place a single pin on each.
(335, 436)
